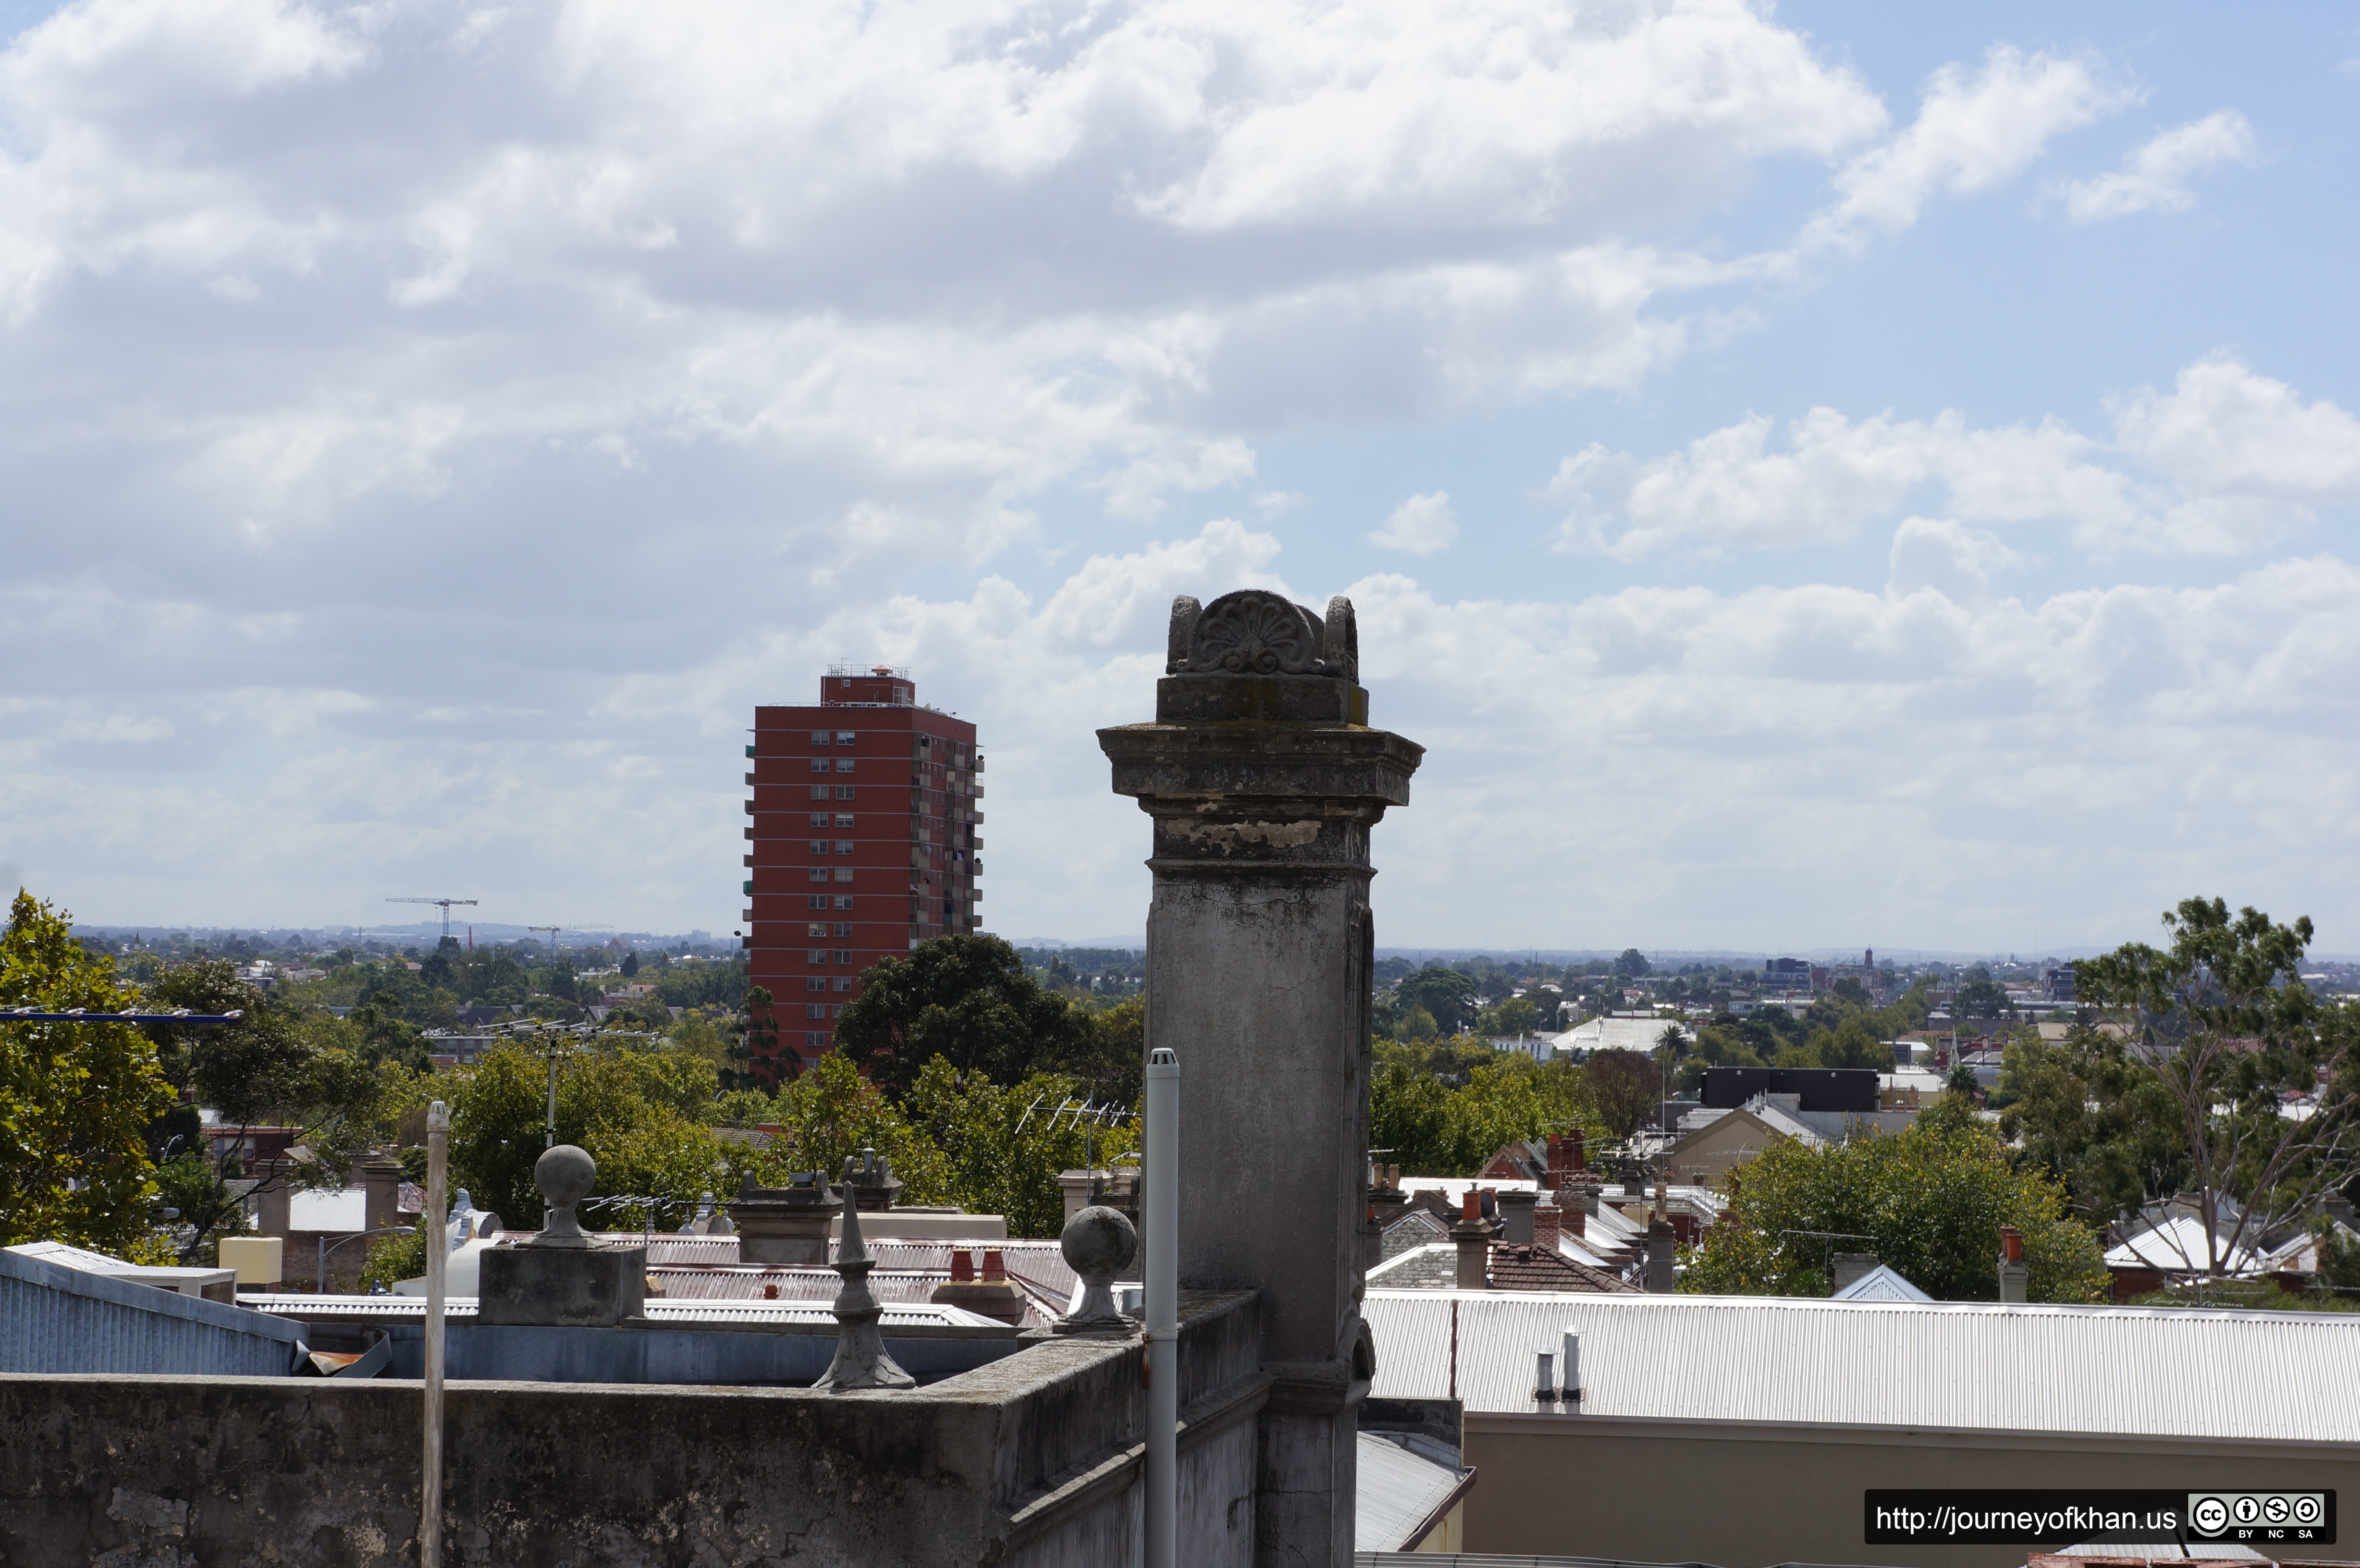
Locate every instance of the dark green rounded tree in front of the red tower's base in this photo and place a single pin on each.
(966, 998)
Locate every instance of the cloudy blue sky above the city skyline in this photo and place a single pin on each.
(1809, 476)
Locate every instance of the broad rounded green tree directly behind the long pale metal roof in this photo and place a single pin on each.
(1929, 1203)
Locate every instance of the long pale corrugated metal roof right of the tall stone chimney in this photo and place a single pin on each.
(1941, 1364)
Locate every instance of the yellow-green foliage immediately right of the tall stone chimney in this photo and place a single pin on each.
(1441, 1130)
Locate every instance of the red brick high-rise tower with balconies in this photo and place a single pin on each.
(863, 842)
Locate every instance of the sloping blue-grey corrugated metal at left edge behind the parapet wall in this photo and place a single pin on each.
(58, 1319)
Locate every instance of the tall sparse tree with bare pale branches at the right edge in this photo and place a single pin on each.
(2224, 1026)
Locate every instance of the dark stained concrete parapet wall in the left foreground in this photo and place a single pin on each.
(1028, 1461)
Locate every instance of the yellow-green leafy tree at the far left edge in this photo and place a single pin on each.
(77, 1099)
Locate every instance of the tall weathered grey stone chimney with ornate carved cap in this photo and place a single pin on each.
(1264, 783)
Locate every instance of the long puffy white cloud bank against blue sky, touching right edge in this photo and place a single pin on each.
(2224, 464)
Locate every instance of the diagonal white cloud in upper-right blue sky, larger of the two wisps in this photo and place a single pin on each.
(1972, 133)
